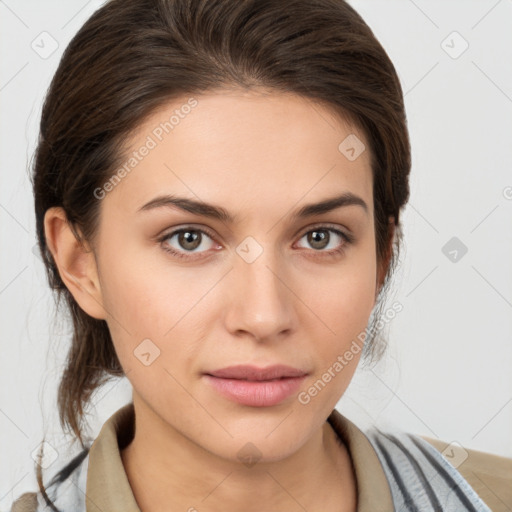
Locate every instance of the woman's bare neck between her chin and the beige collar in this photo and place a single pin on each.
(166, 470)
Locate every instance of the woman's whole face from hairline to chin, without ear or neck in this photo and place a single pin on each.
(190, 289)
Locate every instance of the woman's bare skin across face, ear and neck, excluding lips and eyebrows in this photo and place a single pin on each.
(260, 156)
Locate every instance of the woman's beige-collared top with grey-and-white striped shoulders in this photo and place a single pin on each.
(394, 471)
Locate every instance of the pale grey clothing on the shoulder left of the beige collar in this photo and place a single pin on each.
(66, 489)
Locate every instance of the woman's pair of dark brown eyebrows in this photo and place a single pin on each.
(221, 214)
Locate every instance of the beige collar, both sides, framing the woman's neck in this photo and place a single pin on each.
(108, 487)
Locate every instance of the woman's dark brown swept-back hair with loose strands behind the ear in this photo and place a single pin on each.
(133, 56)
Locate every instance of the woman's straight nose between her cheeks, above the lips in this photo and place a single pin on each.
(262, 304)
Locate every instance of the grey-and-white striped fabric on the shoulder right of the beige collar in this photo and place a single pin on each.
(420, 477)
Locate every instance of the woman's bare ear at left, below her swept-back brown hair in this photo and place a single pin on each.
(75, 262)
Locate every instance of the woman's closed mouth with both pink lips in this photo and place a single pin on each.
(256, 387)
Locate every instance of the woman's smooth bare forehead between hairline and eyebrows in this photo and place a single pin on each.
(243, 148)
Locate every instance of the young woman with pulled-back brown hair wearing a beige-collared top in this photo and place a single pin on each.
(218, 187)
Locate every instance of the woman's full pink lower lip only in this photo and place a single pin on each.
(256, 393)
